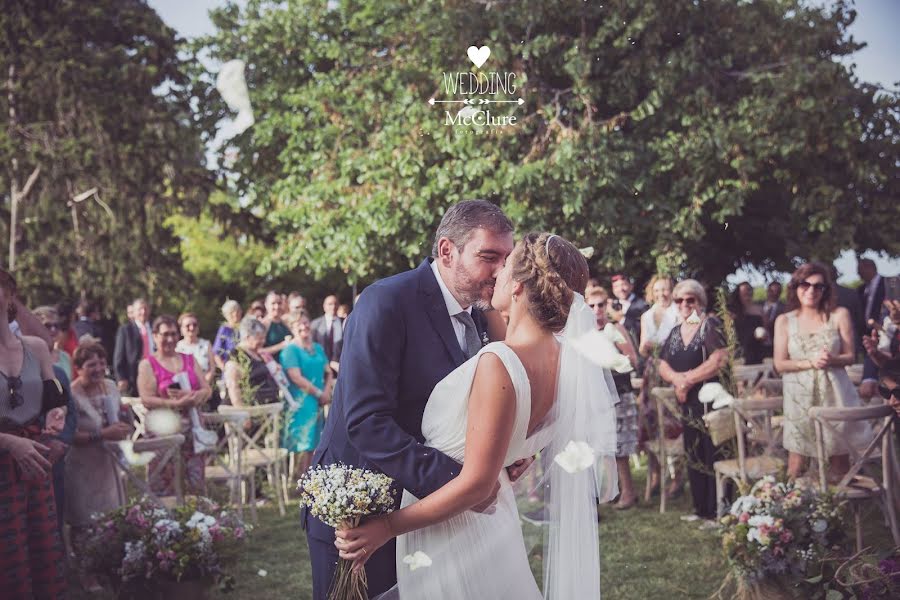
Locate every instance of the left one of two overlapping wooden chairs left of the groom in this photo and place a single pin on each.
(225, 462)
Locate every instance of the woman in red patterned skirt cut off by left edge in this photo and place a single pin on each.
(32, 559)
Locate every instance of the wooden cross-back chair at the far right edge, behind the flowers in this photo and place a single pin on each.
(855, 486)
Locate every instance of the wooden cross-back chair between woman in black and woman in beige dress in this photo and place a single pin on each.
(750, 415)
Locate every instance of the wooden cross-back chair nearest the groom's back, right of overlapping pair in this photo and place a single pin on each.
(262, 449)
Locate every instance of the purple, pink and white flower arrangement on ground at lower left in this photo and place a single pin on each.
(142, 545)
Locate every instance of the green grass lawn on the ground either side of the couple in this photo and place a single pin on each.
(645, 555)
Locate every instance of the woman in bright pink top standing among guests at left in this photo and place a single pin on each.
(159, 387)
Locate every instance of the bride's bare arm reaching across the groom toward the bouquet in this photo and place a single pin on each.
(491, 416)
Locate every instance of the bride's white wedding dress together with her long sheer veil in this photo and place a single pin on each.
(483, 556)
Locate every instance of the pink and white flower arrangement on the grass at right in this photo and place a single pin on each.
(778, 534)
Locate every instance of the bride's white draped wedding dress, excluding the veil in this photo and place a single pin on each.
(473, 555)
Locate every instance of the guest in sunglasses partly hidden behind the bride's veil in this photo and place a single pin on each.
(626, 409)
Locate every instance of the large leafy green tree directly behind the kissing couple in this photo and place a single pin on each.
(646, 128)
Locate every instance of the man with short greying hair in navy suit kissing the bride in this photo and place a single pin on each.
(406, 333)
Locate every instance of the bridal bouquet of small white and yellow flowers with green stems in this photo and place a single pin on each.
(341, 496)
